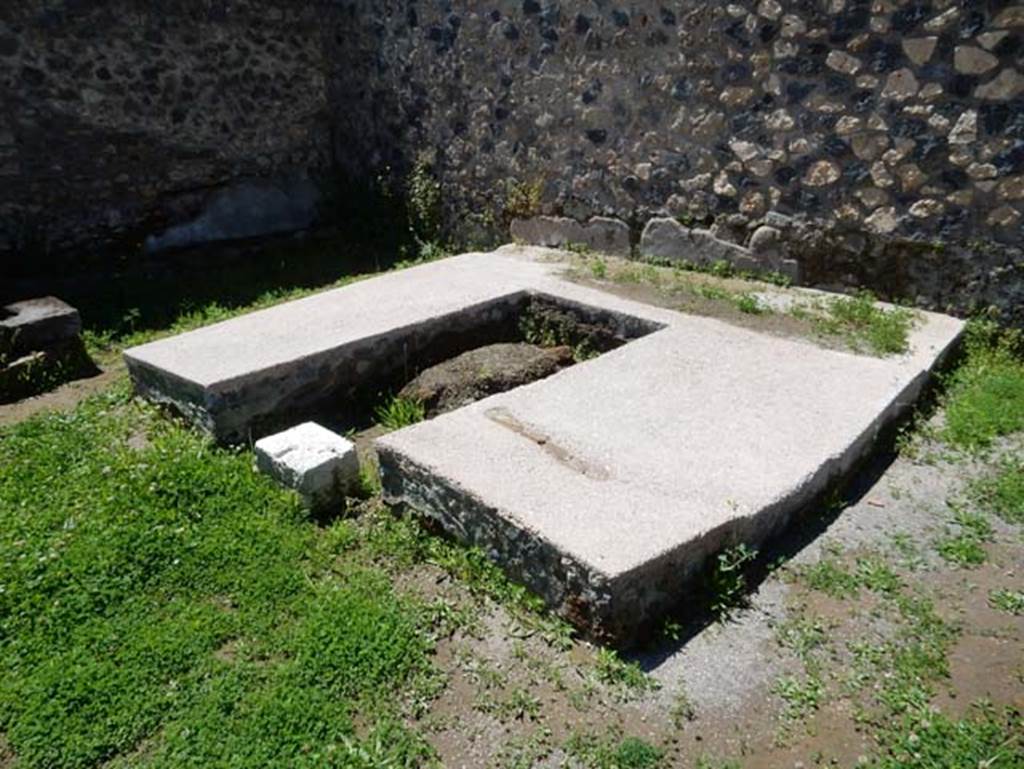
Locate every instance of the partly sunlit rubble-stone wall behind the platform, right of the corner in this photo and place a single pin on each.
(885, 138)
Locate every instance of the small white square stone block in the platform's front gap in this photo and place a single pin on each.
(319, 464)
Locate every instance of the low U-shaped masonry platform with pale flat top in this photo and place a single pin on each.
(605, 488)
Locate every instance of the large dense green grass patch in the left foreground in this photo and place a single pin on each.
(173, 608)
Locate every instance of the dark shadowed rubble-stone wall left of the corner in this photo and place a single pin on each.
(118, 118)
